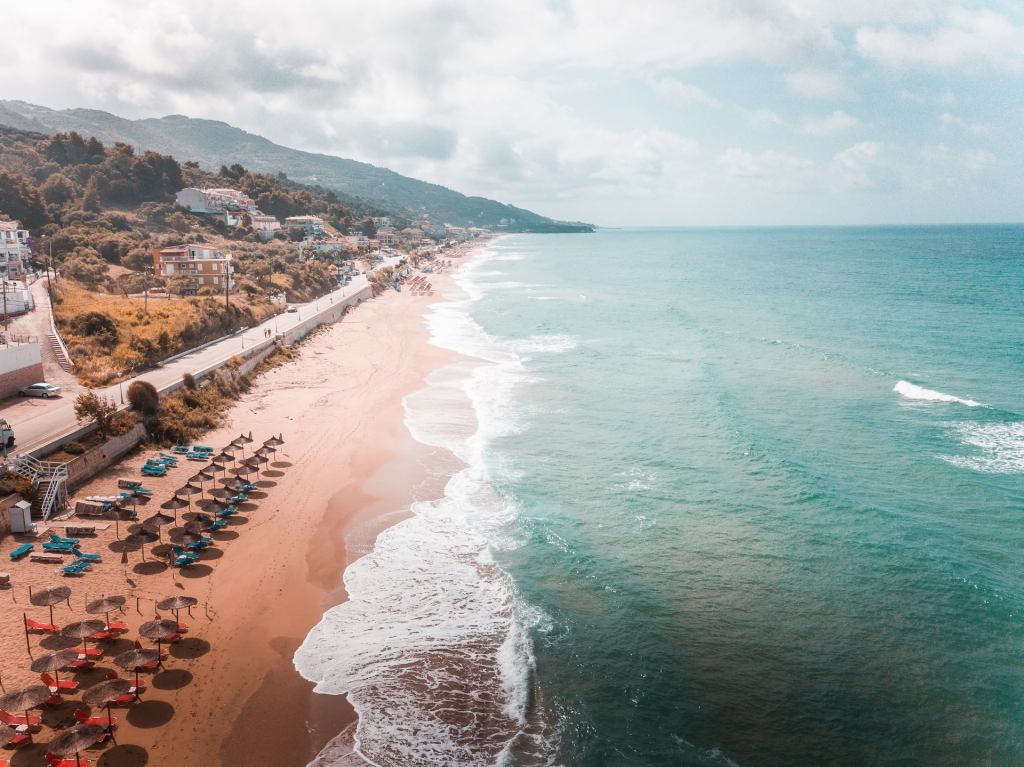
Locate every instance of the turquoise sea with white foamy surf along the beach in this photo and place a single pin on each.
(723, 497)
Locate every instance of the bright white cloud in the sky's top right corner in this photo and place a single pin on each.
(966, 37)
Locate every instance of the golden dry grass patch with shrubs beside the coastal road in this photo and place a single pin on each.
(106, 333)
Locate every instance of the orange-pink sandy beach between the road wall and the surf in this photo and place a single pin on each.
(229, 693)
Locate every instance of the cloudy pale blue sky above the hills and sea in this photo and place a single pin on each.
(658, 113)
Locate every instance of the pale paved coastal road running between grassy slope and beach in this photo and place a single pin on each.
(49, 420)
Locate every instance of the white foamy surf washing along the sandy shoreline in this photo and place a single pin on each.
(433, 646)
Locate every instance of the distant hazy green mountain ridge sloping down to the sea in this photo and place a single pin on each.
(214, 144)
